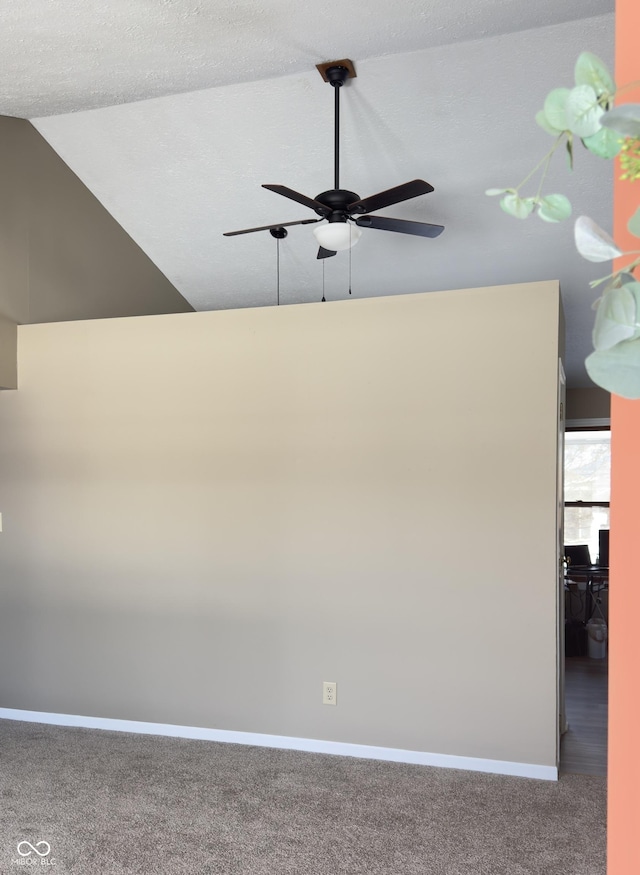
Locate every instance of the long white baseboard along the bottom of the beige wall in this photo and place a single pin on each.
(311, 745)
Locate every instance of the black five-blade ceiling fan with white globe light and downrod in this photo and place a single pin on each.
(344, 211)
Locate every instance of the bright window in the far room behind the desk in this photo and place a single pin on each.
(587, 479)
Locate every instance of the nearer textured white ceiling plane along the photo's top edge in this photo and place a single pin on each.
(70, 55)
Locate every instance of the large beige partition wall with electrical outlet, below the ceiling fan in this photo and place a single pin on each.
(206, 515)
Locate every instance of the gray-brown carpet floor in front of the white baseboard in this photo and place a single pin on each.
(110, 802)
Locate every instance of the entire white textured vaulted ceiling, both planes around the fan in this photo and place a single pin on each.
(175, 113)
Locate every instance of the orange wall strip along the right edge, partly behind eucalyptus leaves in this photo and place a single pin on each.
(624, 610)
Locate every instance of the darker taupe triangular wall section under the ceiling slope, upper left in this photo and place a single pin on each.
(62, 255)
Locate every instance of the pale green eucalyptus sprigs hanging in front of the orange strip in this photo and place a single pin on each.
(586, 113)
